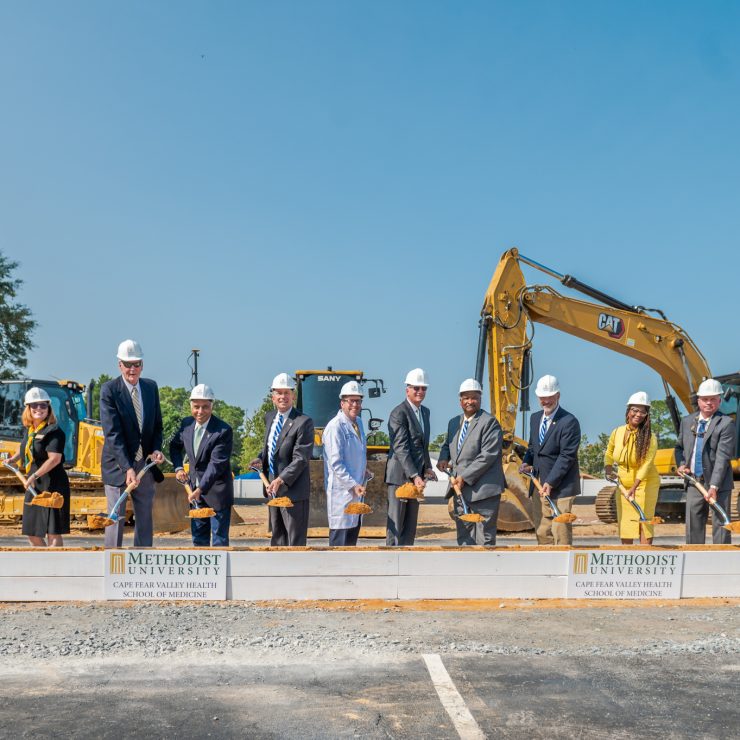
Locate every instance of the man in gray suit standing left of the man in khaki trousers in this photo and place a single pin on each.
(472, 454)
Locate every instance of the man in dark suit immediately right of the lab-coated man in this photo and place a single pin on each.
(408, 459)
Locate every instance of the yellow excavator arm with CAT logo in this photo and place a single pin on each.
(512, 308)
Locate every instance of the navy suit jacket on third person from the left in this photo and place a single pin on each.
(210, 469)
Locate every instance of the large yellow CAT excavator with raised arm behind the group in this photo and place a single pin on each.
(511, 310)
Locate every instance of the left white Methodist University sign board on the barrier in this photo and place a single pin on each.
(193, 575)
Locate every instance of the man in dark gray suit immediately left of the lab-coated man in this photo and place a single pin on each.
(284, 459)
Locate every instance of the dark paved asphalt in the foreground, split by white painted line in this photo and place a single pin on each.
(508, 696)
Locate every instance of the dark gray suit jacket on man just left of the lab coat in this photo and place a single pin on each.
(293, 453)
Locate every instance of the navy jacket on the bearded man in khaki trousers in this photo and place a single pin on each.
(556, 460)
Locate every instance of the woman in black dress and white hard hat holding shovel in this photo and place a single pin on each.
(41, 458)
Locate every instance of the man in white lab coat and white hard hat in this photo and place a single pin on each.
(345, 466)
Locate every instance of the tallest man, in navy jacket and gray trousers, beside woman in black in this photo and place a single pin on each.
(132, 427)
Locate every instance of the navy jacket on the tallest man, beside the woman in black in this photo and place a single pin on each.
(121, 430)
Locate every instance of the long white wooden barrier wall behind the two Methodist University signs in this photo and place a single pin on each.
(262, 574)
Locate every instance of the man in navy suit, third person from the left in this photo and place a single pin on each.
(207, 441)
